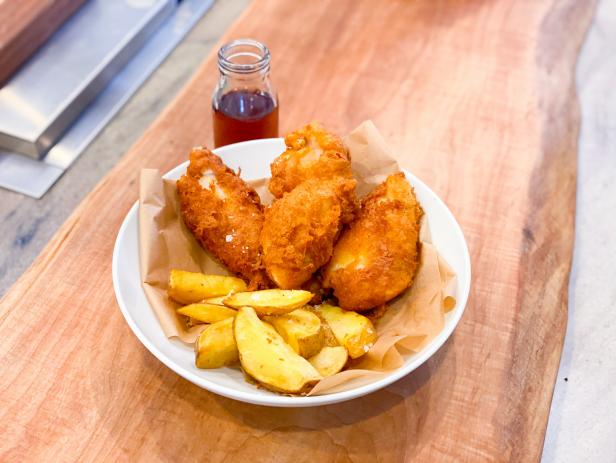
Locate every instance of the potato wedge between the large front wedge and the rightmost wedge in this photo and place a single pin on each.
(301, 329)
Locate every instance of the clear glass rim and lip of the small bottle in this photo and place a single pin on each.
(243, 56)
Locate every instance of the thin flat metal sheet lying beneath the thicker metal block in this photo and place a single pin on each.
(33, 177)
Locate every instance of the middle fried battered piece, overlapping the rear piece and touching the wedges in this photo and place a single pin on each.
(300, 229)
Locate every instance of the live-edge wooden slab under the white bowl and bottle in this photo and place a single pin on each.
(478, 100)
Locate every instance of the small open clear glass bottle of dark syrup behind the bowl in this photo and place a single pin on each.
(245, 104)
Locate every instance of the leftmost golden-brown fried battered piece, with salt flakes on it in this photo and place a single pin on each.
(224, 214)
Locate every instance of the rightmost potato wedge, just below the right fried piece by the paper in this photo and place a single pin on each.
(352, 330)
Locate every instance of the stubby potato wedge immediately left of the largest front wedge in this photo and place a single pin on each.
(215, 347)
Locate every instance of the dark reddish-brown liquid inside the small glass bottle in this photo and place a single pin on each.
(242, 115)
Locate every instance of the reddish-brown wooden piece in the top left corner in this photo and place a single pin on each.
(25, 25)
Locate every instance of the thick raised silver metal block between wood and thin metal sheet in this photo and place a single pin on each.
(48, 92)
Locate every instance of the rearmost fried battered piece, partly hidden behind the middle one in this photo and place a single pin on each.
(312, 152)
